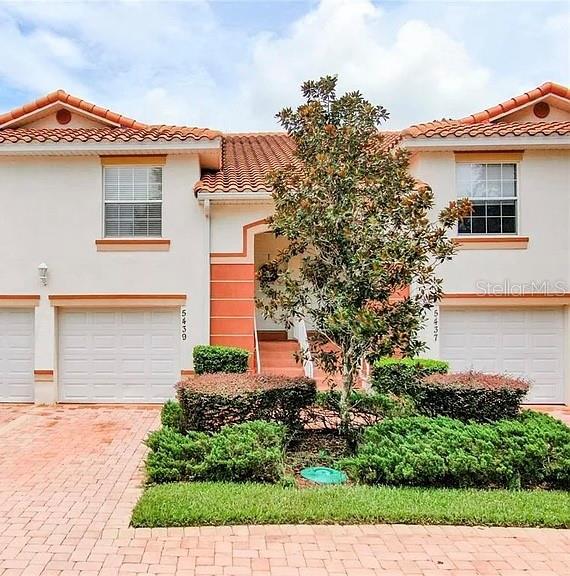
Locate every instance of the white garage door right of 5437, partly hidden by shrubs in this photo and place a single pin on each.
(522, 342)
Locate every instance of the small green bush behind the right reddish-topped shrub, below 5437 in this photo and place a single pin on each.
(400, 375)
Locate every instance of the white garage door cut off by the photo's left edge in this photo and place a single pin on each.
(16, 355)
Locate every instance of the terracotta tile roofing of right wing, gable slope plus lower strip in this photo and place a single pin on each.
(486, 123)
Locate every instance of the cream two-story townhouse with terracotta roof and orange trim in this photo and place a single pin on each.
(123, 245)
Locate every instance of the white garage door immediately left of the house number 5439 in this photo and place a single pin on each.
(118, 355)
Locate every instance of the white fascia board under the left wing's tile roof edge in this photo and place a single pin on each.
(78, 148)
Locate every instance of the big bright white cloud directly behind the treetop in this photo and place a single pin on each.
(420, 74)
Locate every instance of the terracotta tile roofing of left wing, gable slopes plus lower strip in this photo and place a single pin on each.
(125, 129)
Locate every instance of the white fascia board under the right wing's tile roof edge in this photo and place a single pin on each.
(478, 142)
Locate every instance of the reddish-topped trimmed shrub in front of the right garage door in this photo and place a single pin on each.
(470, 396)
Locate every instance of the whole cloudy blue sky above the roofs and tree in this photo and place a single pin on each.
(232, 65)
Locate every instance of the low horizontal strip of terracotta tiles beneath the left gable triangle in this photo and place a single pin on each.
(110, 134)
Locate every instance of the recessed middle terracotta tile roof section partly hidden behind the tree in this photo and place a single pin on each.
(247, 159)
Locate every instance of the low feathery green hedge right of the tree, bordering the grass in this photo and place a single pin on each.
(530, 451)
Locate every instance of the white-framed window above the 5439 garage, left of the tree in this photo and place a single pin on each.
(132, 197)
